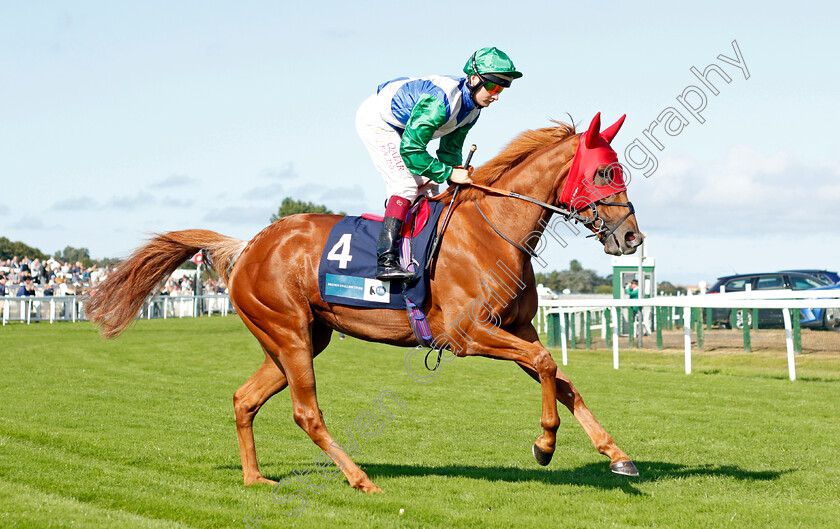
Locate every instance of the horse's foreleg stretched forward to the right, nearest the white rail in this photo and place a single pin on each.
(620, 463)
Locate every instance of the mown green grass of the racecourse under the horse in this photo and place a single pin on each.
(139, 432)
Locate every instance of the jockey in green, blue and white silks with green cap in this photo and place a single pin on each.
(397, 123)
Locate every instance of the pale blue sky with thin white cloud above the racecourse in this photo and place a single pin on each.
(118, 120)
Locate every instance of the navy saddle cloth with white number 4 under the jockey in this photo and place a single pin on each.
(347, 270)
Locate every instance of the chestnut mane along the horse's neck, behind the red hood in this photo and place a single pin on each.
(516, 152)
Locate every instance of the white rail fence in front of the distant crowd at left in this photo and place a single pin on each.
(72, 308)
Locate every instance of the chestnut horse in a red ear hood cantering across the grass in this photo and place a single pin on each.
(273, 282)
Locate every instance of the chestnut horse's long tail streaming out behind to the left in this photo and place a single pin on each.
(113, 304)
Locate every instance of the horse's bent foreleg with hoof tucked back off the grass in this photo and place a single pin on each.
(506, 346)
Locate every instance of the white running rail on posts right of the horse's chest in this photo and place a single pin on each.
(768, 299)
